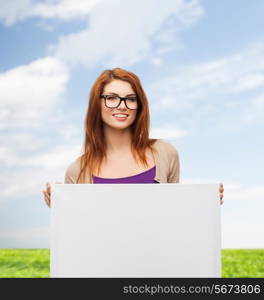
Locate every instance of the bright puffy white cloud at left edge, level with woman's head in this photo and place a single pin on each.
(29, 92)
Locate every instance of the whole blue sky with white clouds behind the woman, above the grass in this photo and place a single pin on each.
(201, 64)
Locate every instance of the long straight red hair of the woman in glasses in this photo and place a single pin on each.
(94, 147)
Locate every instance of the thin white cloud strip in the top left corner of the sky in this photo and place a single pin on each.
(19, 10)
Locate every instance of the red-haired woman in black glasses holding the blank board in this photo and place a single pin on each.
(117, 147)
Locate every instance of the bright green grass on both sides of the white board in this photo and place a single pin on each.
(34, 263)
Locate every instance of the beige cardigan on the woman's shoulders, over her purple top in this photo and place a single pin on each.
(166, 161)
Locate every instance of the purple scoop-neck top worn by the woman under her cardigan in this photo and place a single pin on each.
(144, 177)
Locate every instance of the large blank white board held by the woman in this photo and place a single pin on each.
(135, 230)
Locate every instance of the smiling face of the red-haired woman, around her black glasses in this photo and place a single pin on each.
(122, 89)
